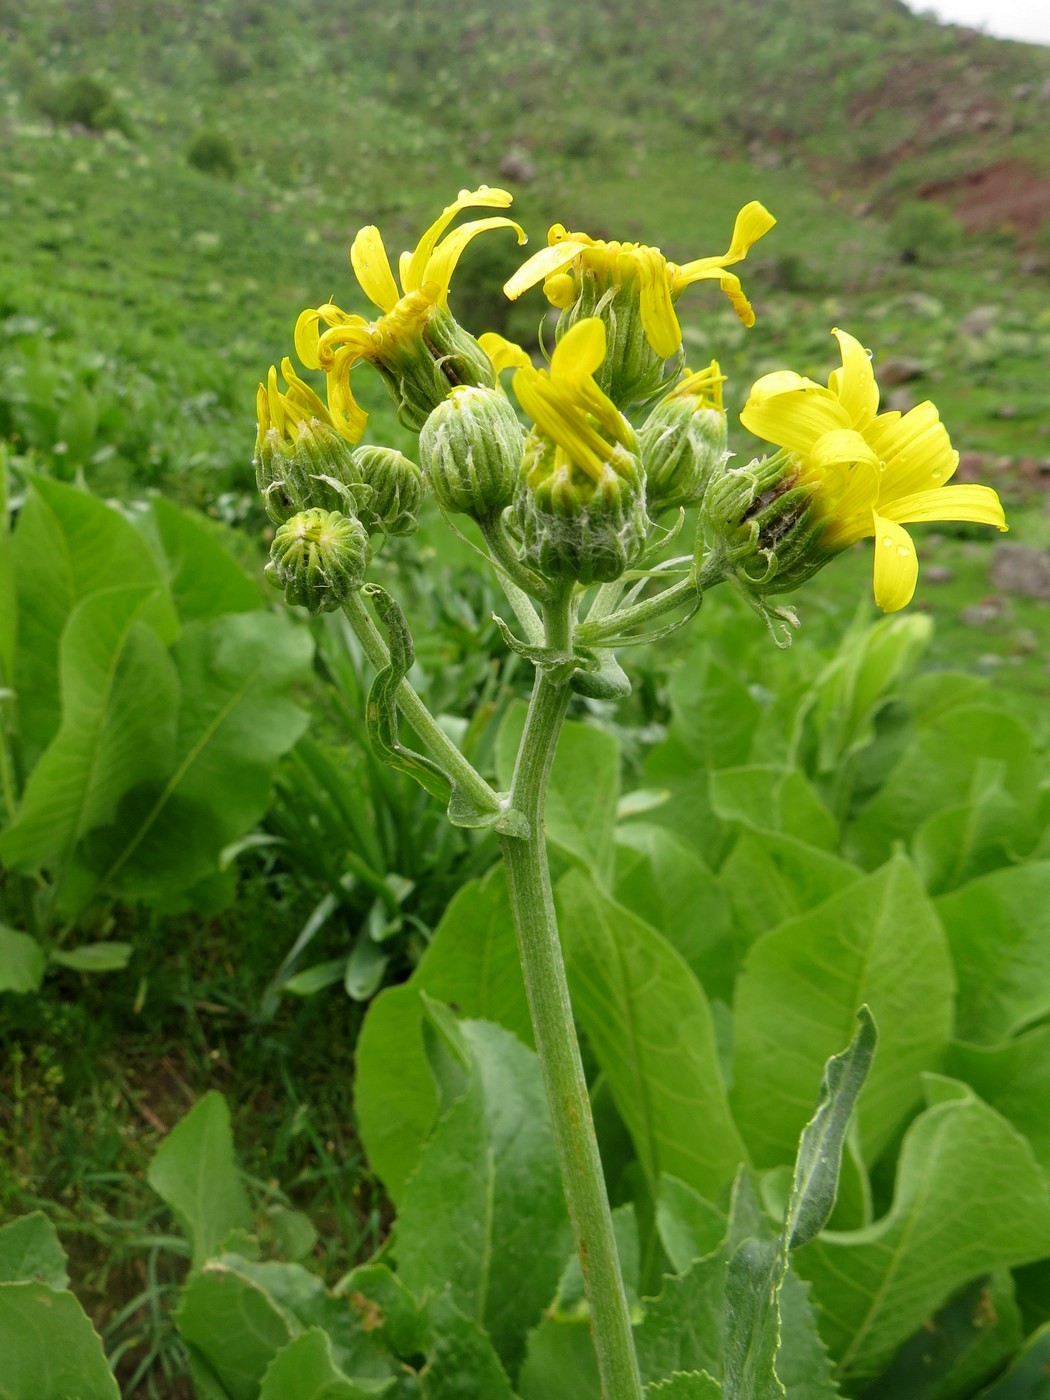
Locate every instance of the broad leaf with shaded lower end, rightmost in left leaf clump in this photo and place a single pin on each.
(236, 720)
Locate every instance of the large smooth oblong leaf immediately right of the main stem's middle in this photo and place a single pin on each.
(650, 1027)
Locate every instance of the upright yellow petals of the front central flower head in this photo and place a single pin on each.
(570, 409)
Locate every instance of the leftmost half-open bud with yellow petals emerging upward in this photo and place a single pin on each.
(302, 463)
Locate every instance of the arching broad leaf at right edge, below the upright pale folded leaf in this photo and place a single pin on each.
(946, 766)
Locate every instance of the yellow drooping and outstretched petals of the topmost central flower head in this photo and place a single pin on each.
(569, 258)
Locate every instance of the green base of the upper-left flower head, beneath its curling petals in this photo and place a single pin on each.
(425, 356)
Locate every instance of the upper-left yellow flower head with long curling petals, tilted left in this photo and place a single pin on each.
(415, 338)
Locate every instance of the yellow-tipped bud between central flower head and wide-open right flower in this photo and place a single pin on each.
(684, 442)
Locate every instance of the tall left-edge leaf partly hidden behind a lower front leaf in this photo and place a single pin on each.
(66, 547)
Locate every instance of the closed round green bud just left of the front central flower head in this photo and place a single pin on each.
(471, 449)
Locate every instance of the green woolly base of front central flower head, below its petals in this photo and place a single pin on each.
(575, 526)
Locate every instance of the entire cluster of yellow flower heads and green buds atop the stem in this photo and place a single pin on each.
(618, 433)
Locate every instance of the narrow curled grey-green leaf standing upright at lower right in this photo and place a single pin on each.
(821, 1147)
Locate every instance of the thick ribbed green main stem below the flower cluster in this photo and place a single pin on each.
(528, 878)
